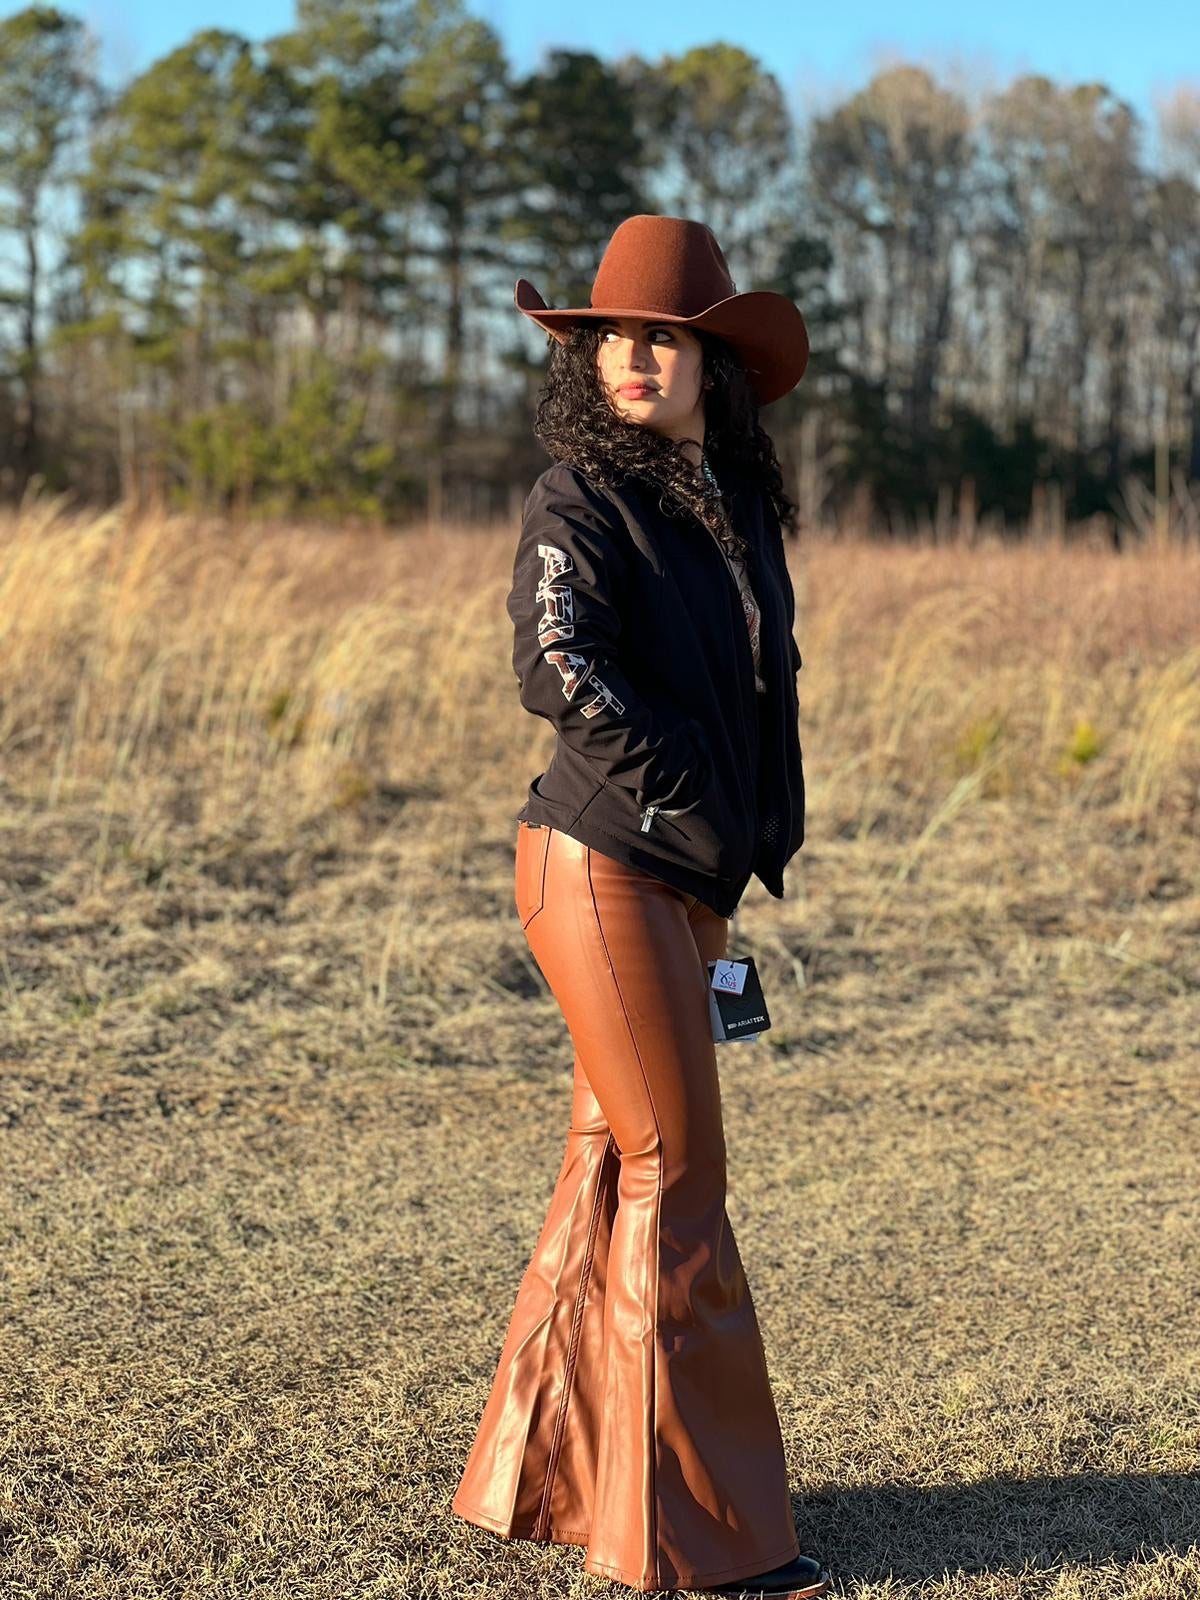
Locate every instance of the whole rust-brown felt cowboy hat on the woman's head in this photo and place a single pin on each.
(673, 270)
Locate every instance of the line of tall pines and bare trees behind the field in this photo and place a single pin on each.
(279, 274)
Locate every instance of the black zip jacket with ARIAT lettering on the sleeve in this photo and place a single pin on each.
(630, 638)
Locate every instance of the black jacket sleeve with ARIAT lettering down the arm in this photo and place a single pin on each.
(570, 572)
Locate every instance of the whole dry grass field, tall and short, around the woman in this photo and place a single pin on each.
(284, 1095)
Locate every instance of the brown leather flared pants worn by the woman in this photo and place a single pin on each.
(631, 1410)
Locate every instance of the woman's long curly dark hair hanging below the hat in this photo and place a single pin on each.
(577, 423)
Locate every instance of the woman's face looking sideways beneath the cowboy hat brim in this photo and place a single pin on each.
(652, 374)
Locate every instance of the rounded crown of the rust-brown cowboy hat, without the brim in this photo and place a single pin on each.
(668, 265)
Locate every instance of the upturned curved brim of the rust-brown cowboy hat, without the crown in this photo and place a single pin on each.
(767, 330)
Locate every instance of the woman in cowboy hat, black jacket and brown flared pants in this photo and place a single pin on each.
(652, 610)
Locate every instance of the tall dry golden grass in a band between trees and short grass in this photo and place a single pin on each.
(282, 674)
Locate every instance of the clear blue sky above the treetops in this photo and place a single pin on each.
(818, 52)
